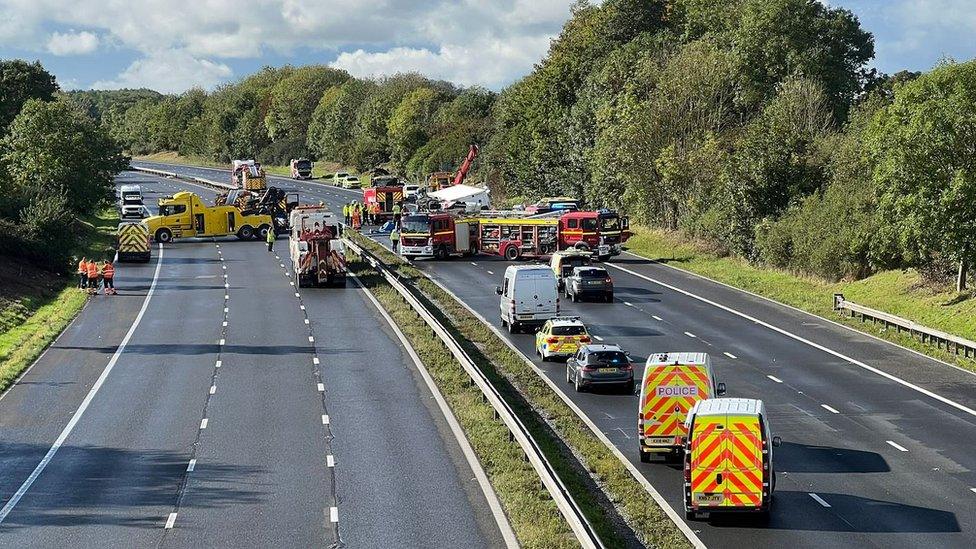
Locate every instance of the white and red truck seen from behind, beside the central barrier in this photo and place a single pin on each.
(317, 253)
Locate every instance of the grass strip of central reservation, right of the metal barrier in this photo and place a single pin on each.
(620, 490)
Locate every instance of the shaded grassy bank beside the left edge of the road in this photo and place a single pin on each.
(36, 305)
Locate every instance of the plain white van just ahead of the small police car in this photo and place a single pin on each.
(528, 296)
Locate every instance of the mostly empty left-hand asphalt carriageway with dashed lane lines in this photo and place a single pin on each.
(240, 412)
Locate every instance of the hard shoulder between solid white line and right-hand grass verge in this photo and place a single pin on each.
(950, 382)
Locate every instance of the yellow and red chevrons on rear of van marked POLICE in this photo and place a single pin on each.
(669, 392)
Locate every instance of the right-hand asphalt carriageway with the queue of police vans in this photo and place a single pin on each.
(877, 440)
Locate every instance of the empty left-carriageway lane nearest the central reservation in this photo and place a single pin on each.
(402, 478)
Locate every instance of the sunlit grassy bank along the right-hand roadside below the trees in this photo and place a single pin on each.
(901, 293)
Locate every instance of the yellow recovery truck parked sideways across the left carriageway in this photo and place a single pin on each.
(185, 215)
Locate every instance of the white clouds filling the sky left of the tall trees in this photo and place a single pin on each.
(444, 36)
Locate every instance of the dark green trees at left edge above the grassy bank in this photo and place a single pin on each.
(56, 165)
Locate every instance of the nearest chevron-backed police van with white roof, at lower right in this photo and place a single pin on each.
(728, 457)
